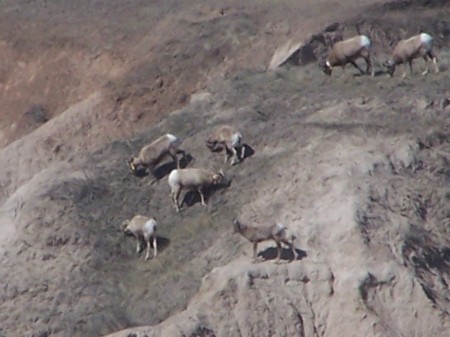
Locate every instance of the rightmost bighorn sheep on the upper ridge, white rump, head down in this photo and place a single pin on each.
(409, 49)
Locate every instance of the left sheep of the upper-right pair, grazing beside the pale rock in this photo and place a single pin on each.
(348, 51)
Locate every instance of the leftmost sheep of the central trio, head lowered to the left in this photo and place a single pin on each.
(152, 154)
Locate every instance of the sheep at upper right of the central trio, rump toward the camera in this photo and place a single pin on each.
(228, 139)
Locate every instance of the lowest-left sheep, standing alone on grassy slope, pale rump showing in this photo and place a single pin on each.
(143, 229)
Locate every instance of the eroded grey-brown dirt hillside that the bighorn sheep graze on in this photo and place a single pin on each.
(356, 167)
